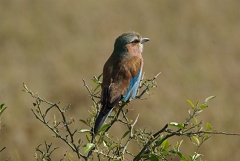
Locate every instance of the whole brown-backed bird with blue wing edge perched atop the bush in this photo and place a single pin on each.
(122, 73)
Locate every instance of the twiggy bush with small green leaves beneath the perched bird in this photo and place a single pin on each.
(153, 146)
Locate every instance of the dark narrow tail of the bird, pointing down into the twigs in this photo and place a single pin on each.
(102, 116)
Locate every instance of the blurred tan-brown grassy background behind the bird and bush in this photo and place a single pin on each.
(52, 45)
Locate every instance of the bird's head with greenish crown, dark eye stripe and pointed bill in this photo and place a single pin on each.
(130, 40)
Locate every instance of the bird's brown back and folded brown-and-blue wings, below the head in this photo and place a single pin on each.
(121, 79)
